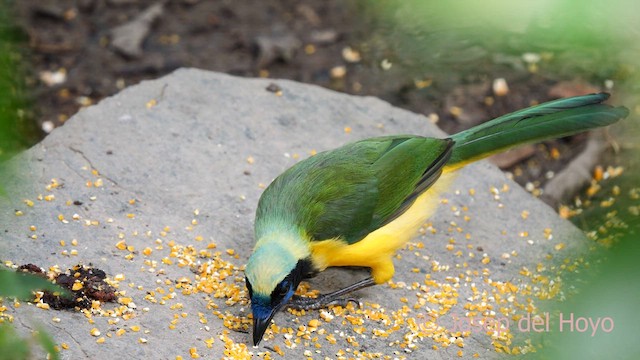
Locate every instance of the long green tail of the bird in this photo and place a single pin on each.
(549, 120)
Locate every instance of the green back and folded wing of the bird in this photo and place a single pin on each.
(351, 191)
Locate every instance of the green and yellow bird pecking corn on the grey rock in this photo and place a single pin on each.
(356, 205)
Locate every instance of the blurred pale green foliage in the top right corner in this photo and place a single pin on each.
(454, 42)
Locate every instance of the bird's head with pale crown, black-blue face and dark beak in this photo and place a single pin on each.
(272, 276)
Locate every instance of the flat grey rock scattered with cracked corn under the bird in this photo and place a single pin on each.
(174, 166)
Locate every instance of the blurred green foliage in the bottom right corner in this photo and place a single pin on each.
(612, 292)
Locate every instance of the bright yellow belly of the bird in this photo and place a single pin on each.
(376, 250)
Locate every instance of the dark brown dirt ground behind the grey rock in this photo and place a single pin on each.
(85, 50)
